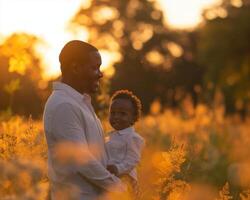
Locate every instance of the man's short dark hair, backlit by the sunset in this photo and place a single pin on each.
(75, 51)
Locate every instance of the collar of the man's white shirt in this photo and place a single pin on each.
(71, 91)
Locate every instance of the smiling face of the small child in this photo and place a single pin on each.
(121, 114)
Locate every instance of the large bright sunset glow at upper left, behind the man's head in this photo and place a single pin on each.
(46, 19)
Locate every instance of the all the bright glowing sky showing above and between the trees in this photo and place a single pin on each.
(48, 20)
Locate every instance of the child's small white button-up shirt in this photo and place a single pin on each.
(124, 150)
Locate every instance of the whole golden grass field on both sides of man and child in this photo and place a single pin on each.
(193, 153)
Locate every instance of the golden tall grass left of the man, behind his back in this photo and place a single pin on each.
(22, 159)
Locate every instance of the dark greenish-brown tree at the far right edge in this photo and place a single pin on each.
(224, 49)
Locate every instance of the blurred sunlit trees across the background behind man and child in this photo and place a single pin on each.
(155, 61)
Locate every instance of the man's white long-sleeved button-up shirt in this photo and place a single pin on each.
(77, 156)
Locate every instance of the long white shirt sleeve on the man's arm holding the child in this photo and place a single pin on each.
(72, 150)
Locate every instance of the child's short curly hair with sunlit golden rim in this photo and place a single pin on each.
(126, 94)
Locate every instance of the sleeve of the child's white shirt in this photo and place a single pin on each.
(133, 155)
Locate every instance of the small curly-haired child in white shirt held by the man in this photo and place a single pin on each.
(124, 145)
